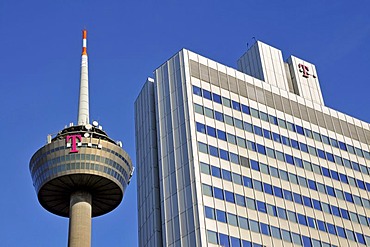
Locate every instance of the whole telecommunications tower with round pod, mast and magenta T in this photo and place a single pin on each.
(81, 172)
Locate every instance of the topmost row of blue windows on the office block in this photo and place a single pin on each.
(280, 122)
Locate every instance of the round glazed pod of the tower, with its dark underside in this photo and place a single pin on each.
(99, 167)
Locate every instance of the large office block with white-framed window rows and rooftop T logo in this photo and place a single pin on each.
(248, 156)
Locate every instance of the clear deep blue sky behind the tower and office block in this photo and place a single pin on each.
(40, 47)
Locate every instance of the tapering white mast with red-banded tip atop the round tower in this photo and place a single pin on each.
(83, 103)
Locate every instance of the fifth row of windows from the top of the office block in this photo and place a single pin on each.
(278, 192)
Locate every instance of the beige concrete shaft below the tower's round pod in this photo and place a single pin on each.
(80, 220)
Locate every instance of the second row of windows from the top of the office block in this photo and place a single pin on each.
(280, 139)
